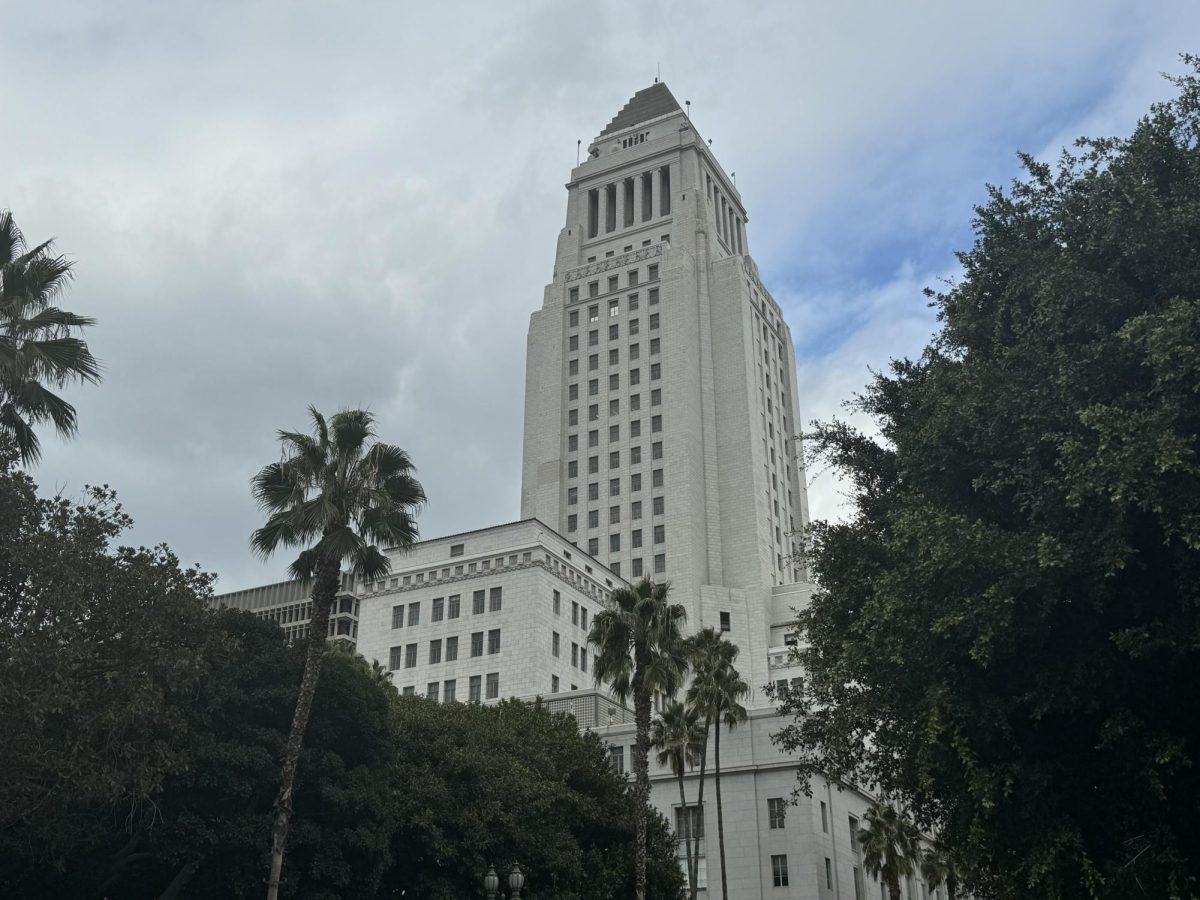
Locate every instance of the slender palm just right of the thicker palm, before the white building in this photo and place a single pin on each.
(716, 694)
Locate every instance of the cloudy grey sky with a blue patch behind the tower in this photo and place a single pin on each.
(356, 205)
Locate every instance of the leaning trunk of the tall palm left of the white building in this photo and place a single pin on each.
(325, 590)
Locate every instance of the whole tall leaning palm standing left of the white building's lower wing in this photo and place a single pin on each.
(339, 495)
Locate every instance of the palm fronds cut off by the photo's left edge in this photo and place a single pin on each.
(39, 350)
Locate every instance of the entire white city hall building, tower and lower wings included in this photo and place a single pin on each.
(661, 412)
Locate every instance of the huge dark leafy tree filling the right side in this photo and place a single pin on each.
(1007, 633)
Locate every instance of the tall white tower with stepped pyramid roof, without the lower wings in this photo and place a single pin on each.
(661, 386)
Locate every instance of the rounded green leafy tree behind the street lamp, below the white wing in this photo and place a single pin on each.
(483, 785)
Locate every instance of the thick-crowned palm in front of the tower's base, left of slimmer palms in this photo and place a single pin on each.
(640, 651)
